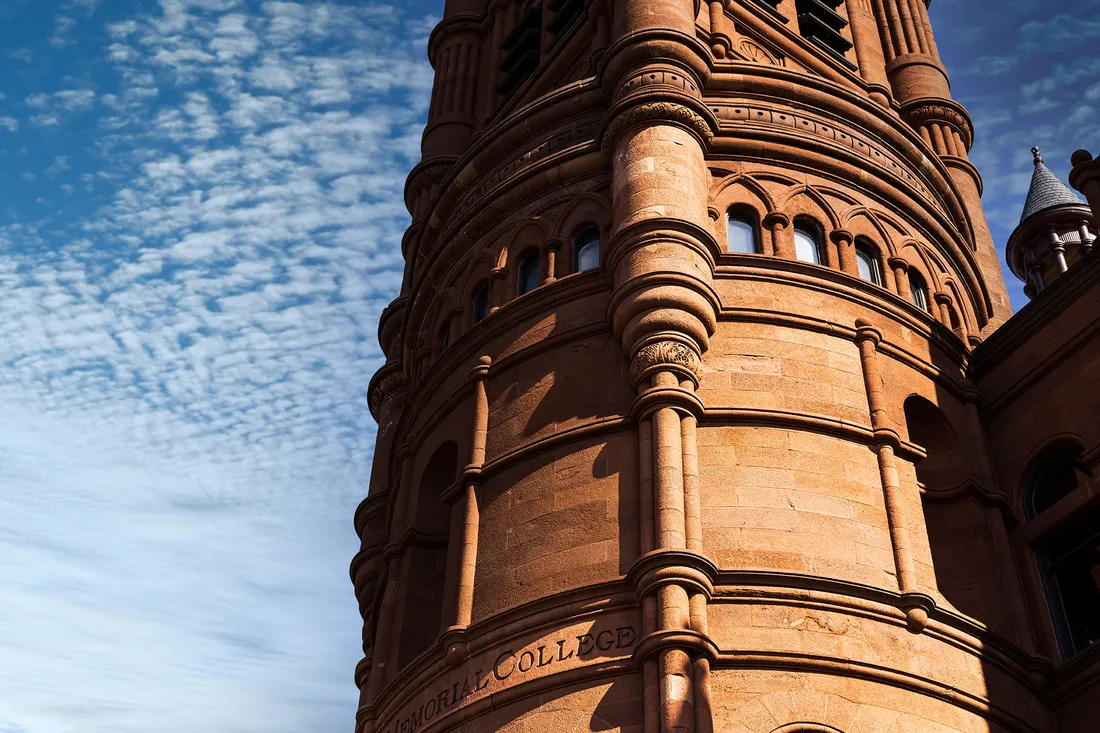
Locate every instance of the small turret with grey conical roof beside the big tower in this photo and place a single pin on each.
(1054, 232)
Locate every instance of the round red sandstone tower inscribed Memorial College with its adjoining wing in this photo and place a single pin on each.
(681, 426)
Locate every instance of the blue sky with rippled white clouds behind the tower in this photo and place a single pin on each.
(201, 210)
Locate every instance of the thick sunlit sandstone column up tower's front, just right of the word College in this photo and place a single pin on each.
(664, 311)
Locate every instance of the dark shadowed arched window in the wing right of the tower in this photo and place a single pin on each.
(1069, 551)
